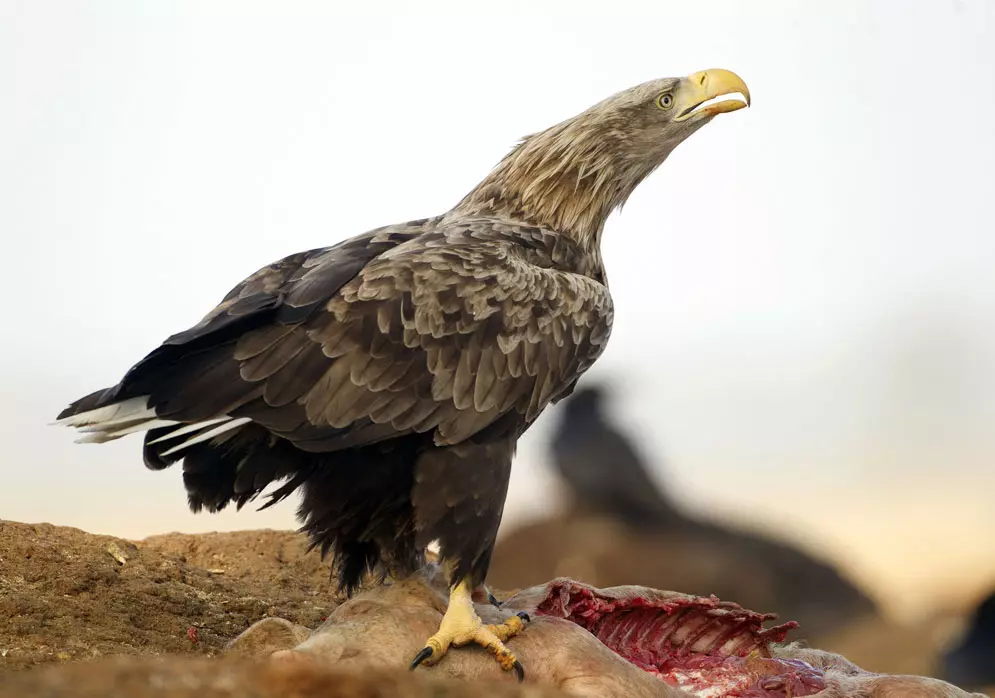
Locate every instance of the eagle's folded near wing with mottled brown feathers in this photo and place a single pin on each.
(446, 333)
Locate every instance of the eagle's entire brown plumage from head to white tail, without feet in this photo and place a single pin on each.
(388, 377)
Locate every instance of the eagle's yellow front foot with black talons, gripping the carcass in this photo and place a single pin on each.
(461, 626)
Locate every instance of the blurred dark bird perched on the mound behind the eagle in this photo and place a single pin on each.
(607, 474)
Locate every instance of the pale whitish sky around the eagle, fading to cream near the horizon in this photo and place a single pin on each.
(804, 292)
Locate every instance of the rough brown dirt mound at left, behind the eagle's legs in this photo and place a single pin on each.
(69, 595)
